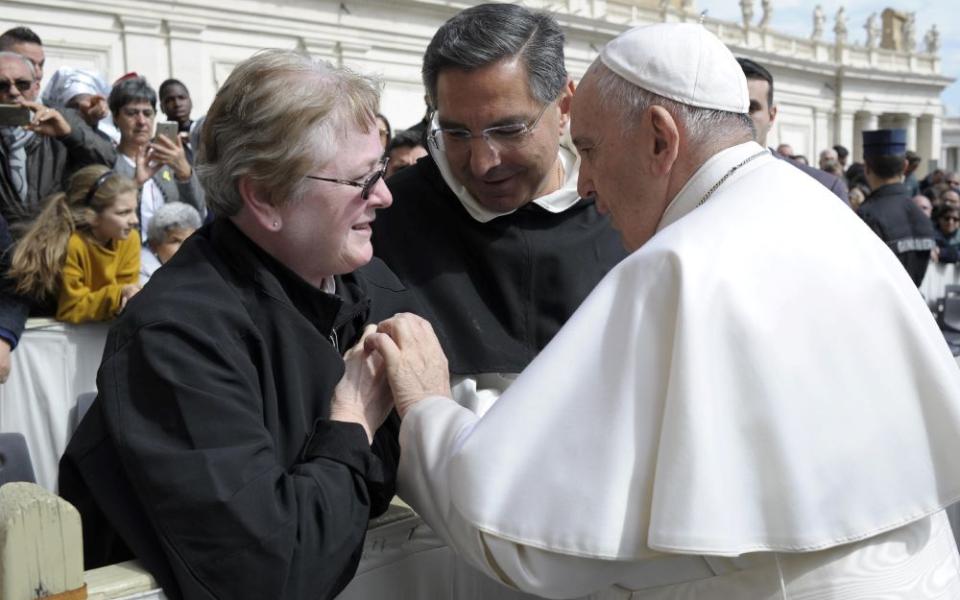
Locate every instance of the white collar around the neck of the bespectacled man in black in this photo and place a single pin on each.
(555, 202)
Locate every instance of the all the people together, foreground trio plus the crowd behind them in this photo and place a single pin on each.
(568, 324)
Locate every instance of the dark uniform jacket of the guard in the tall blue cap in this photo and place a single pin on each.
(893, 216)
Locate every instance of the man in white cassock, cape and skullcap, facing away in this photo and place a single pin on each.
(756, 404)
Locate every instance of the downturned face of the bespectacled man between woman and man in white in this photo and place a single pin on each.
(500, 177)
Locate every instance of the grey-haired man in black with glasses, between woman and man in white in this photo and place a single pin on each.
(489, 231)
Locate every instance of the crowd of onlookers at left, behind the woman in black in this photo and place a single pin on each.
(56, 262)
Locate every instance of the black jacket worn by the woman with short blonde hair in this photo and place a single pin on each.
(209, 454)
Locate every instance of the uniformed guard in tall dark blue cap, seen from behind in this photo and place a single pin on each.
(889, 210)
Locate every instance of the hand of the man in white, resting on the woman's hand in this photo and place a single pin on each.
(415, 363)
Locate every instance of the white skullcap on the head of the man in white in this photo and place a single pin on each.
(680, 61)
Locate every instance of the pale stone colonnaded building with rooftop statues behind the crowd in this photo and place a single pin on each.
(829, 86)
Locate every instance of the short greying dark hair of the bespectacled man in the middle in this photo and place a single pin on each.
(487, 33)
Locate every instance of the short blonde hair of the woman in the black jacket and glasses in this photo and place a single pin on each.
(279, 116)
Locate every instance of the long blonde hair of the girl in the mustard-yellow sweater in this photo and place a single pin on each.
(39, 255)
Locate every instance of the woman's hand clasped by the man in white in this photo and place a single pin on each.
(362, 396)
